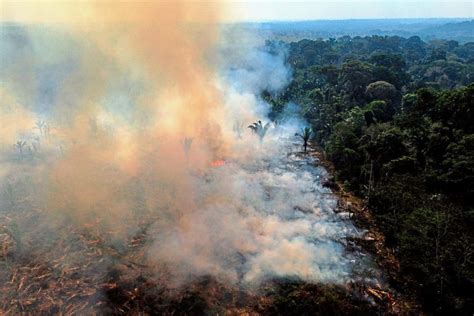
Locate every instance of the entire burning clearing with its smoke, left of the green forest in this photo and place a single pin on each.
(125, 192)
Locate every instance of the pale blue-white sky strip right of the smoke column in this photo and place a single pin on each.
(262, 10)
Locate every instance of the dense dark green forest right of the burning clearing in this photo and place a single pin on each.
(396, 117)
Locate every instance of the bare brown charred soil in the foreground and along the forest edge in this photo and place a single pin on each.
(79, 272)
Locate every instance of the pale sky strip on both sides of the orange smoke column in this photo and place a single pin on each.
(258, 10)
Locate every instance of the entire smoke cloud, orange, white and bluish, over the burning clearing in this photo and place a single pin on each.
(125, 109)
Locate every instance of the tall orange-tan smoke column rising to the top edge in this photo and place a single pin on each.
(165, 40)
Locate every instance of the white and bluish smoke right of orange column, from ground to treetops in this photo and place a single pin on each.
(264, 213)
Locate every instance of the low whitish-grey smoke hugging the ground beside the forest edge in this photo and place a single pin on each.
(258, 224)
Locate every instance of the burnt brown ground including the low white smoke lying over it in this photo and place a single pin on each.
(276, 236)
